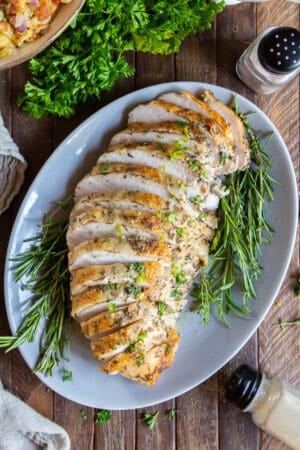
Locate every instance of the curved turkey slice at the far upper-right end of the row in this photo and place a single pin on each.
(237, 128)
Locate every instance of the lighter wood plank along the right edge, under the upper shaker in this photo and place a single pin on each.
(277, 348)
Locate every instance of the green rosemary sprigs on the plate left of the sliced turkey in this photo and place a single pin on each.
(43, 269)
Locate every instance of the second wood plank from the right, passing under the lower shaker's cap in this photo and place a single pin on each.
(236, 430)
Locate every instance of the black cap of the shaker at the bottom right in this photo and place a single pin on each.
(242, 386)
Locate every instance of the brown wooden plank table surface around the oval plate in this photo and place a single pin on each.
(204, 420)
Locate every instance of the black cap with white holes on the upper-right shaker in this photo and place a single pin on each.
(279, 50)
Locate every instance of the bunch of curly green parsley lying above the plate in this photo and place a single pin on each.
(88, 57)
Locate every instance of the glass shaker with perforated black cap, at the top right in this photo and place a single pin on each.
(271, 61)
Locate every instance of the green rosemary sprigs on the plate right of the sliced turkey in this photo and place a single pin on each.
(243, 229)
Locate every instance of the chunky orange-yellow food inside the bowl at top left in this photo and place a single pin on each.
(23, 21)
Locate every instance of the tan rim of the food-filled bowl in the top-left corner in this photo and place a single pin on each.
(65, 14)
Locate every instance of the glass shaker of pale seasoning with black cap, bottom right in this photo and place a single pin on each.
(274, 404)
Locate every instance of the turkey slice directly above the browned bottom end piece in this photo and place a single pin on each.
(144, 332)
